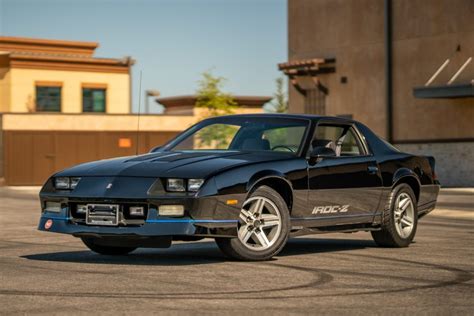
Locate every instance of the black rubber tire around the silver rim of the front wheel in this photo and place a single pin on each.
(235, 249)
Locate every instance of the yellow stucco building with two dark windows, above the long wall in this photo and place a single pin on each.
(33, 69)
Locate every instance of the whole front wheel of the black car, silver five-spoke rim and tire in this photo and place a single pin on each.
(263, 227)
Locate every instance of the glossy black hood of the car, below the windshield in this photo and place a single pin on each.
(172, 164)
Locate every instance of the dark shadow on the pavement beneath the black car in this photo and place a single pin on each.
(198, 253)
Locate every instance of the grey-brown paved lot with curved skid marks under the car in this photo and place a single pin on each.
(335, 273)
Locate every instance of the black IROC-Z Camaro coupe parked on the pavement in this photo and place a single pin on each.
(250, 182)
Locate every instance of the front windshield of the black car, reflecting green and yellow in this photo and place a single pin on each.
(243, 134)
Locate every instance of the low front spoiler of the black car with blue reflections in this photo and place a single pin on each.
(156, 227)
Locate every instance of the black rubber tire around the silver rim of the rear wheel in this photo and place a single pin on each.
(388, 236)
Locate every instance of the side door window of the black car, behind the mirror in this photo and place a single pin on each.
(341, 139)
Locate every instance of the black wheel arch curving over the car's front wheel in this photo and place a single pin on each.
(274, 180)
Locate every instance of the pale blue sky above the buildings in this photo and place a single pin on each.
(173, 41)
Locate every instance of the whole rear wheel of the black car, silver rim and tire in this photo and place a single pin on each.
(400, 219)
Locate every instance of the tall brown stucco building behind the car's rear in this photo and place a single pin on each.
(402, 67)
